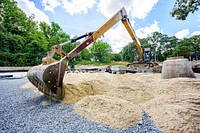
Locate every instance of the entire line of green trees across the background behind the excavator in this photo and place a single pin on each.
(24, 42)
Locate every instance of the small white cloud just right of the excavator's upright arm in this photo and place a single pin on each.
(145, 32)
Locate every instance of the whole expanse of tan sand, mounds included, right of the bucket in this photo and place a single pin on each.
(118, 100)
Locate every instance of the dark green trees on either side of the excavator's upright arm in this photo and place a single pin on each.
(164, 47)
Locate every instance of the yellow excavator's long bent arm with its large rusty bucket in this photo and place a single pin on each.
(48, 77)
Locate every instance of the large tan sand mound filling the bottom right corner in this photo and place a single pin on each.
(178, 112)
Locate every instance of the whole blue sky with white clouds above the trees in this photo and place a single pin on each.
(77, 17)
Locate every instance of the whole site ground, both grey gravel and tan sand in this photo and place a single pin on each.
(103, 102)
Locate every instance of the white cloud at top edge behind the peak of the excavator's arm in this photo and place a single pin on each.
(137, 8)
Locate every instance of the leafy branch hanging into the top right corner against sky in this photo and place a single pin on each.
(182, 8)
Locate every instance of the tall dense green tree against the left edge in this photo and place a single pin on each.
(20, 39)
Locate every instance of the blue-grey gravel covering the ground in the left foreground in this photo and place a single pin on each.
(21, 111)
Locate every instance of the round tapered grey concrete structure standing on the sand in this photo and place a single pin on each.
(177, 68)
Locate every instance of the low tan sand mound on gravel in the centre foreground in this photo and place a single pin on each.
(114, 112)
